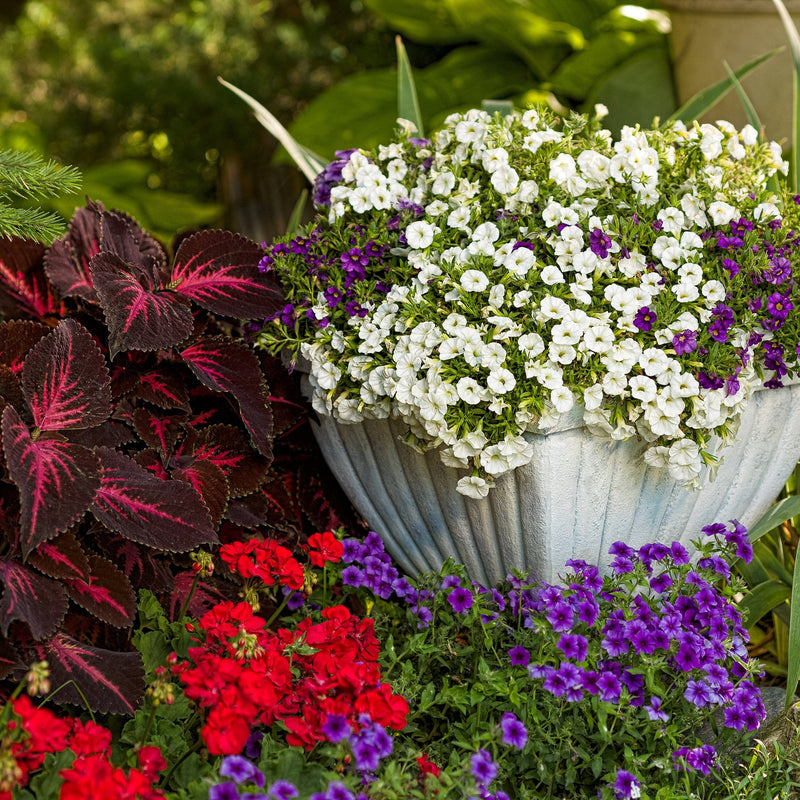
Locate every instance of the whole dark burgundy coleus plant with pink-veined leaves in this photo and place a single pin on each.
(136, 424)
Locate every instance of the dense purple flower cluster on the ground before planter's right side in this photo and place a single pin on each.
(693, 632)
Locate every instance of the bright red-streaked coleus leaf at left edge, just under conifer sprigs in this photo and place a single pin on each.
(24, 291)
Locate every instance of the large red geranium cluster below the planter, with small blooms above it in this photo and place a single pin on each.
(246, 675)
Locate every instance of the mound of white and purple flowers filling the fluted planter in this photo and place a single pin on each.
(476, 291)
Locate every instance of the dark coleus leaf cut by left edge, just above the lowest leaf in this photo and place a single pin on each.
(31, 598)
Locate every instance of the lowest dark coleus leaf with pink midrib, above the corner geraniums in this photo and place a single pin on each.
(111, 682)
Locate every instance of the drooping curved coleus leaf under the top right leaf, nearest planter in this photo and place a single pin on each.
(225, 365)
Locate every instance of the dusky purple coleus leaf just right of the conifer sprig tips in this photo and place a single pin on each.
(66, 261)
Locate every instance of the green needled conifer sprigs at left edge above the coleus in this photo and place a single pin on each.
(27, 177)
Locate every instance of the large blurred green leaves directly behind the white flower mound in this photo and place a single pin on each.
(571, 53)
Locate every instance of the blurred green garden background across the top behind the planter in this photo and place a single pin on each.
(126, 90)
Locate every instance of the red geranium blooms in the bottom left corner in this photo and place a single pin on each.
(33, 732)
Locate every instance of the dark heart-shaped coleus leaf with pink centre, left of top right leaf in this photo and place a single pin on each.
(138, 317)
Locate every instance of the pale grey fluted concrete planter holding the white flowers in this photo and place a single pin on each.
(580, 493)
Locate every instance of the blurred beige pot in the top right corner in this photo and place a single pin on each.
(707, 33)
